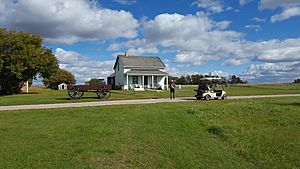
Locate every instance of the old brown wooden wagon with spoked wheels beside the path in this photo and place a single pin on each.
(77, 91)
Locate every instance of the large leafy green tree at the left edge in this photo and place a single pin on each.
(22, 57)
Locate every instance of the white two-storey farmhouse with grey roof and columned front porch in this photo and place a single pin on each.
(138, 72)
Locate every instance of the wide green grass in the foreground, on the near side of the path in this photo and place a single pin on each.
(252, 133)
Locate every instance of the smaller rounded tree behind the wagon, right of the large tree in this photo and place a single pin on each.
(61, 76)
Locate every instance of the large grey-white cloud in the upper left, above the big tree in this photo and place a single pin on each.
(67, 21)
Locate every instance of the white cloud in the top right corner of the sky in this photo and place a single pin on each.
(289, 8)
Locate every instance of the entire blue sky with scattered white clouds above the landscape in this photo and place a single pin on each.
(258, 40)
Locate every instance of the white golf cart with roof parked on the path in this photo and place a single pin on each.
(206, 90)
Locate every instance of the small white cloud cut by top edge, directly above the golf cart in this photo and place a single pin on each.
(213, 6)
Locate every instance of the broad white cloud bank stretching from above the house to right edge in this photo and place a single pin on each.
(197, 39)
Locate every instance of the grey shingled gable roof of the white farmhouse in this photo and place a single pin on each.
(140, 61)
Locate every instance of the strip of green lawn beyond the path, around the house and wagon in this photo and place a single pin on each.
(41, 95)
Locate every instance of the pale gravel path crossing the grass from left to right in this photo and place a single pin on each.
(122, 102)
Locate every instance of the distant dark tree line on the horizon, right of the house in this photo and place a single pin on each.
(195, 79)
